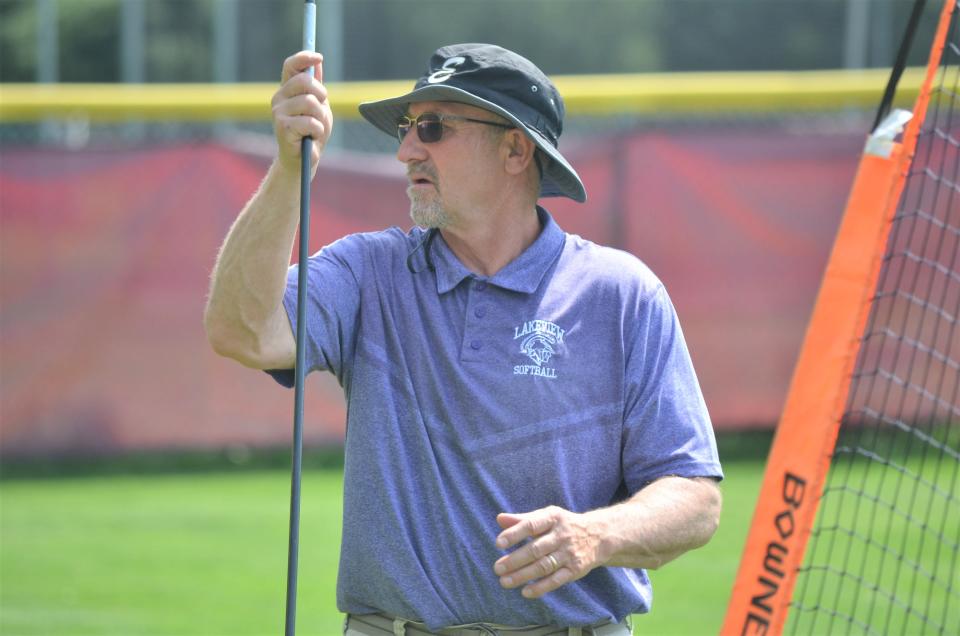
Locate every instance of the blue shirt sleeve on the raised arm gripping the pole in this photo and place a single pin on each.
(334, 276)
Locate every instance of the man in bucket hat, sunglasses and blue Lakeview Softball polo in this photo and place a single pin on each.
(525, 432)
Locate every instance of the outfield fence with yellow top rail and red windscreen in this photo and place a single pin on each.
(115, 198)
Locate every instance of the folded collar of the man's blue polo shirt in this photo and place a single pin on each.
(523, 274)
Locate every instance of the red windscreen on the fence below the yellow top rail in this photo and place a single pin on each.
(105, 257)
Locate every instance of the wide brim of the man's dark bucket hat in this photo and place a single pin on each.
(559, 177)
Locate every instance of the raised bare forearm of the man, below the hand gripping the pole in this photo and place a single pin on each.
(244, 317)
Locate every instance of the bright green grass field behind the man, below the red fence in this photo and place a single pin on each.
(206, 554)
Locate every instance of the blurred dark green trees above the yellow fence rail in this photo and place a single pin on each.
(186, 41)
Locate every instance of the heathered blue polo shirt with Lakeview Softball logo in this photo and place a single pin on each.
(562, 380)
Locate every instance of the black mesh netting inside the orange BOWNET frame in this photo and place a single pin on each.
(883, 554)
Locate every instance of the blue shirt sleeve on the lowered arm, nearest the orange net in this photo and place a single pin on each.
(667, 429)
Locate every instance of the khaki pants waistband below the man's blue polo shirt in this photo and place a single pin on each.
(383, 625)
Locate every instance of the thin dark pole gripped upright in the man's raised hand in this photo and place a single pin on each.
(306, 147)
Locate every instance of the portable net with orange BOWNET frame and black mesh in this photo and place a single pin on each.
(857, 528)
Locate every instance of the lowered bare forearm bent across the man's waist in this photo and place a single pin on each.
(667, 518)
